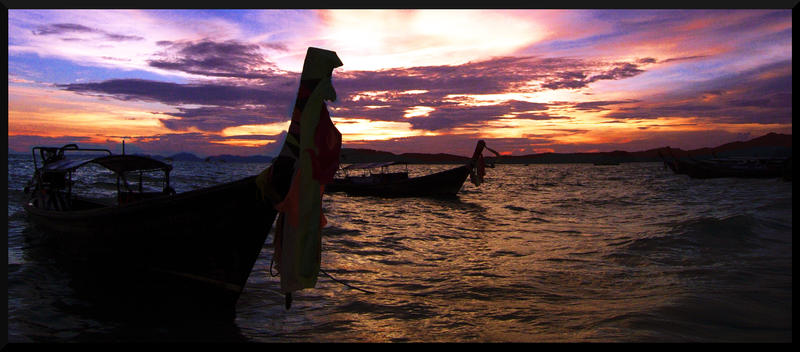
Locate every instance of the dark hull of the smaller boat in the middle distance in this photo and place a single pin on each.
(442, 184)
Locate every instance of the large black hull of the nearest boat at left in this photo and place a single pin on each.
(194, 249)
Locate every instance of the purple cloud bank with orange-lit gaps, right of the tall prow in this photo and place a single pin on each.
(446, 89)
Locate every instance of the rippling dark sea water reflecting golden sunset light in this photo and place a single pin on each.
(538, 253)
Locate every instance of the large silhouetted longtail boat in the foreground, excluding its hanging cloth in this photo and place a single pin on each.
(191, 250)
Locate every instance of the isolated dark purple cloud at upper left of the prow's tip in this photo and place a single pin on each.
(230, 59)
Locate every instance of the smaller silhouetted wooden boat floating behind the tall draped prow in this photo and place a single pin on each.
(397, 184)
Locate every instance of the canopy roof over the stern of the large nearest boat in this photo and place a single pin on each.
(117, 163)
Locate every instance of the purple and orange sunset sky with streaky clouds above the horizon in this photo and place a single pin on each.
(433, 81)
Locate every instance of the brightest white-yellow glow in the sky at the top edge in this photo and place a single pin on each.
(377, 39)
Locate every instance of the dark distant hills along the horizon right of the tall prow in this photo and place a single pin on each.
(769, 145)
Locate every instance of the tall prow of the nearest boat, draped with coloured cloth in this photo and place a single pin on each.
(295, 181)
